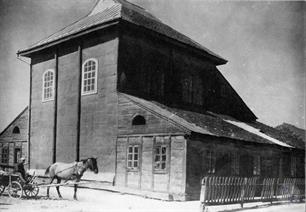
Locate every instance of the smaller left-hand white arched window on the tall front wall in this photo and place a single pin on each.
(48, 85)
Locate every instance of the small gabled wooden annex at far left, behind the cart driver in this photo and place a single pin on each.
(13, 140)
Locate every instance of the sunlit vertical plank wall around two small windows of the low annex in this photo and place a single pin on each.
(172, 181)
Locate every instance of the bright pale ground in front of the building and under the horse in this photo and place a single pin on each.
(98, 200)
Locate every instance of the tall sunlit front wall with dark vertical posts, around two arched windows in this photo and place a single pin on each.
(98, 116)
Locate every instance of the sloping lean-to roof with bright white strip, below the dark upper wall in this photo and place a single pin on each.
(218, 125)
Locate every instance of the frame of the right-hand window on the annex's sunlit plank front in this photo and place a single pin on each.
(166, 162)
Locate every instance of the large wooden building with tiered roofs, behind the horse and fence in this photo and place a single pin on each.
(149, 102)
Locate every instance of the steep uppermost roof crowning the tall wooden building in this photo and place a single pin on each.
(106, 11)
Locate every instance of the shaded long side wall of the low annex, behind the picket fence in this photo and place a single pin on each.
(198, 161)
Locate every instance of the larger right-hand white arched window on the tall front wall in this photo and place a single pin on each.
(89, 76)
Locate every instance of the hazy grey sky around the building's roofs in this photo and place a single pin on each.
(262, 40)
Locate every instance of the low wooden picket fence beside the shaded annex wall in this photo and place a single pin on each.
(228, 190)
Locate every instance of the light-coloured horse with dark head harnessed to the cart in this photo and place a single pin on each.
(70, 171)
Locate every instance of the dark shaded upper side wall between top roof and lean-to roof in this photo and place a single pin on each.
(153, 68)
